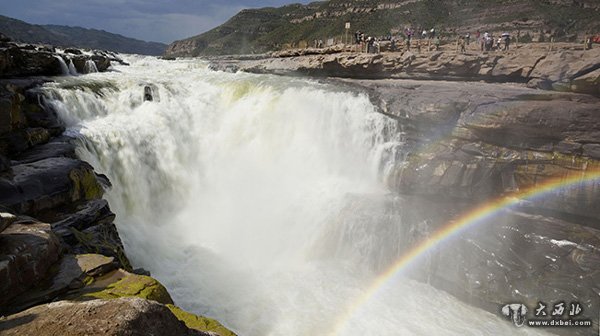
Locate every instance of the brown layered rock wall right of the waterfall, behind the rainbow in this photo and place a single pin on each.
(470, 143)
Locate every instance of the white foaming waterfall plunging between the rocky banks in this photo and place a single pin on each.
(232, 189)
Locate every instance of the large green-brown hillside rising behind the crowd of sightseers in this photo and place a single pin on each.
(267, 29)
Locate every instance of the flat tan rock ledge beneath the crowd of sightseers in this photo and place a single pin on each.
(567, 67)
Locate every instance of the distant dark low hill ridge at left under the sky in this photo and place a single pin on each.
(76, 37)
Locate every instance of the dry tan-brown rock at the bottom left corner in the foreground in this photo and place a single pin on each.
(125, 316)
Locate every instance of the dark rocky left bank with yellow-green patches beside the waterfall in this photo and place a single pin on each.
(63, 269)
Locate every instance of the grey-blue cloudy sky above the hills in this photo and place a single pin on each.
(150, 20)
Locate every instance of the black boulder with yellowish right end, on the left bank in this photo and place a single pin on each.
(48, 183)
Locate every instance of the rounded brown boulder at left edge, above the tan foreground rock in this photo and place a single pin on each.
(27, 250)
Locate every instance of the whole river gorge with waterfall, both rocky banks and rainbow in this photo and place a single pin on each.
(297, 205)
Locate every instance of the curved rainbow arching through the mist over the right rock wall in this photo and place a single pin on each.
(476, 216)
